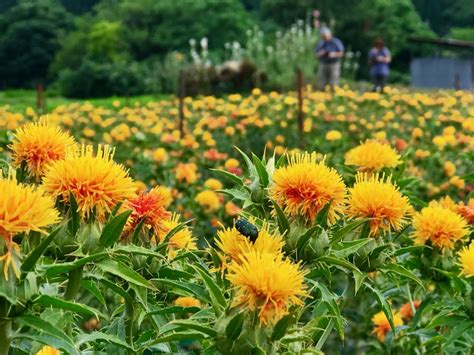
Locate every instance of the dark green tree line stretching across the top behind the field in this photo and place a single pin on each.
(92, 47)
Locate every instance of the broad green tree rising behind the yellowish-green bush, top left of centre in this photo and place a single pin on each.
(158, 27)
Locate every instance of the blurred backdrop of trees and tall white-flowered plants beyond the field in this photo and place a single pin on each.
(101, 48)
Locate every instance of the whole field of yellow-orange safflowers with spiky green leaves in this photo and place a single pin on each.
(240, 234)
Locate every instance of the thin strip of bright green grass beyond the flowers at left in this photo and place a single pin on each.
(20, 100)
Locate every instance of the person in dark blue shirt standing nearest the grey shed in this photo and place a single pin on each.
(379, 58)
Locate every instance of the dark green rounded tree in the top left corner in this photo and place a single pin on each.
(30, 33)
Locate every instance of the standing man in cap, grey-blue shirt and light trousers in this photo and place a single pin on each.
(329, 52)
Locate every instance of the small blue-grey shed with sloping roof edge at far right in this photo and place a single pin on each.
(447, 73)
